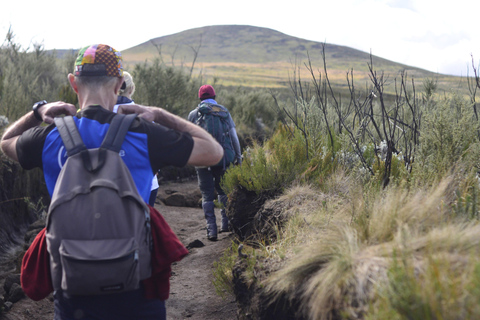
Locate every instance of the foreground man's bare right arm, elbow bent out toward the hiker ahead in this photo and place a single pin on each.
(206, 150)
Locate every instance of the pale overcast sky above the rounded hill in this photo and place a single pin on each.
(439, 36)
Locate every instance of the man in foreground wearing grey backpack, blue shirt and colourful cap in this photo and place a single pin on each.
(108, 251)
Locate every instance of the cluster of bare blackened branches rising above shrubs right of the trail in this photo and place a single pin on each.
(368, 115)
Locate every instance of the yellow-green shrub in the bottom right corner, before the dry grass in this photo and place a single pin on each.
(437, 288)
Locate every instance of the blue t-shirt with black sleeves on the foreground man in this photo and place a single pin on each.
(147, 147)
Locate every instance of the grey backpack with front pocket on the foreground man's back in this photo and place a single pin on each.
(98, 226)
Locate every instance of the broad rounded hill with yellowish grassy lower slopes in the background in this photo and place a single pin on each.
(259, 57)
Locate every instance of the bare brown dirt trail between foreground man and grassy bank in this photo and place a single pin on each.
(192, 294)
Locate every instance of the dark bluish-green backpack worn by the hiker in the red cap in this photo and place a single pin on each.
(214, 119)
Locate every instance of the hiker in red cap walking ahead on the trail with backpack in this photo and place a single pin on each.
(215, 119)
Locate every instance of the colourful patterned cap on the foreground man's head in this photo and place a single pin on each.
(98, 60)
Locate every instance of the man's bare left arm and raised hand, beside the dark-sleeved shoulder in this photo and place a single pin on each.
(8, 144)
